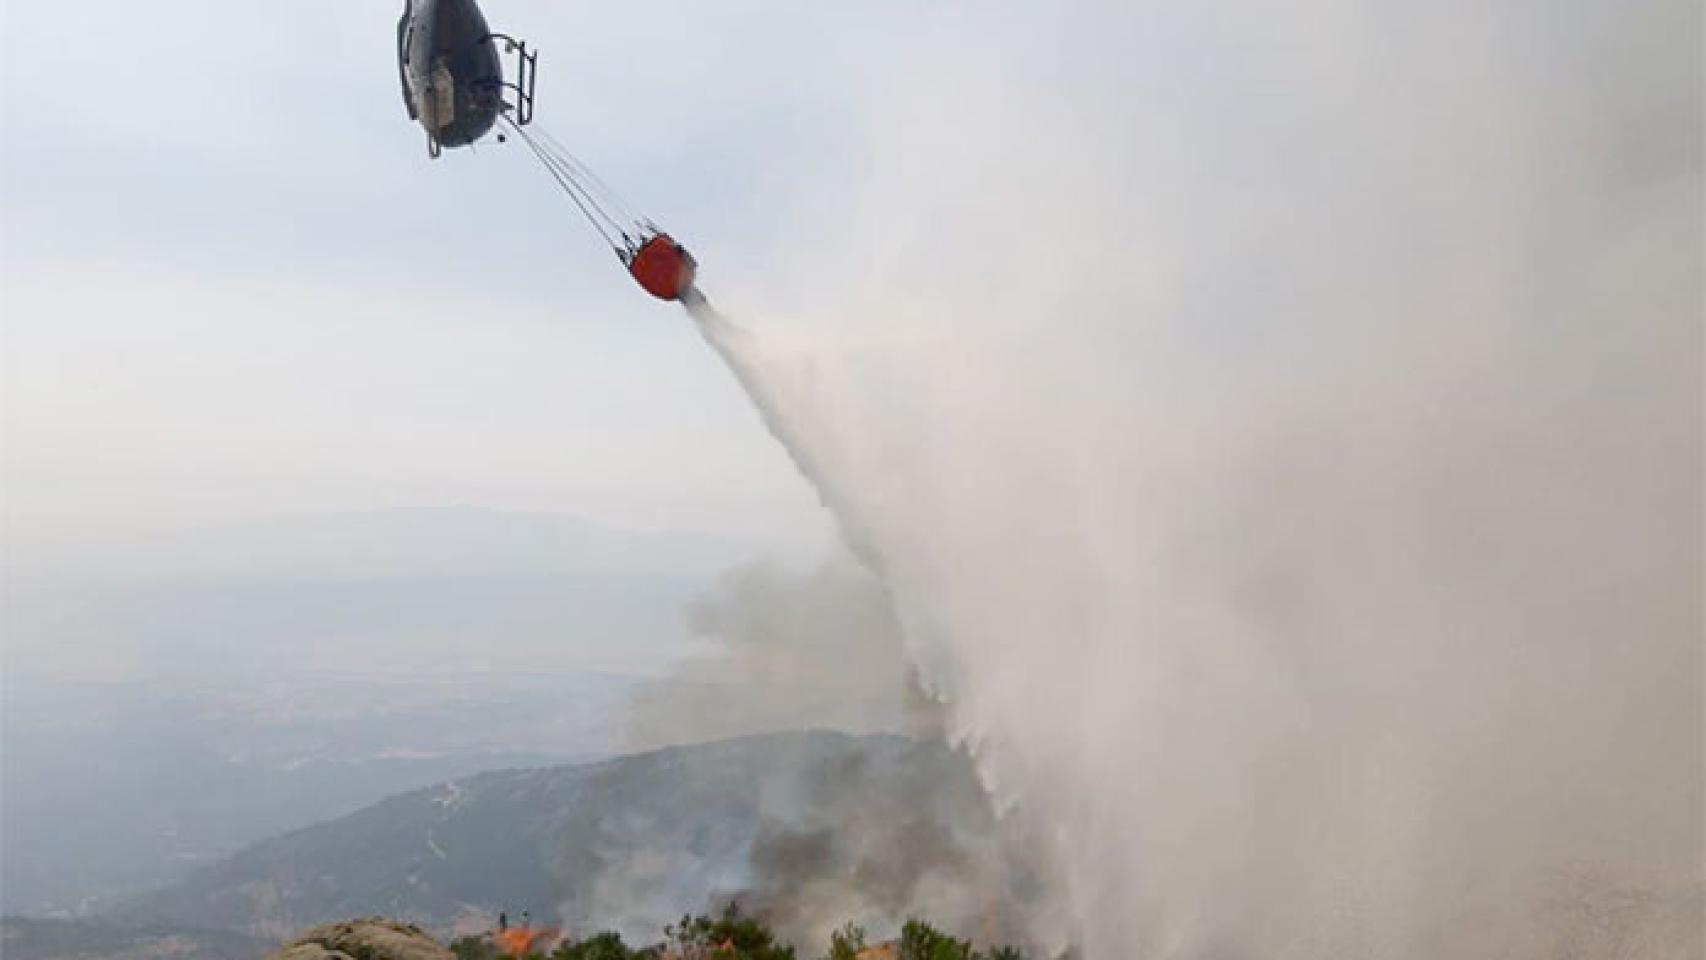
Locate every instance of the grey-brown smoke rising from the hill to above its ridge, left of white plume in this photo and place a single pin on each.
(876, 833)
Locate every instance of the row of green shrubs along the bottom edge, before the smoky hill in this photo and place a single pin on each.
(738, 937)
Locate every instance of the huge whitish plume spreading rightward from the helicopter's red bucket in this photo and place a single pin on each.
(1291, 471)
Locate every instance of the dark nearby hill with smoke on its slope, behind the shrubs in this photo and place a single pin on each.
(809, 828)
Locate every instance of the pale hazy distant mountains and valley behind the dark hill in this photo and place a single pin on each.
(171, 698)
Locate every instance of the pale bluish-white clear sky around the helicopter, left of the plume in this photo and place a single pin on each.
(235, 286)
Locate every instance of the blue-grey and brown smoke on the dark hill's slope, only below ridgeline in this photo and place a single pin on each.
(808, 831)
